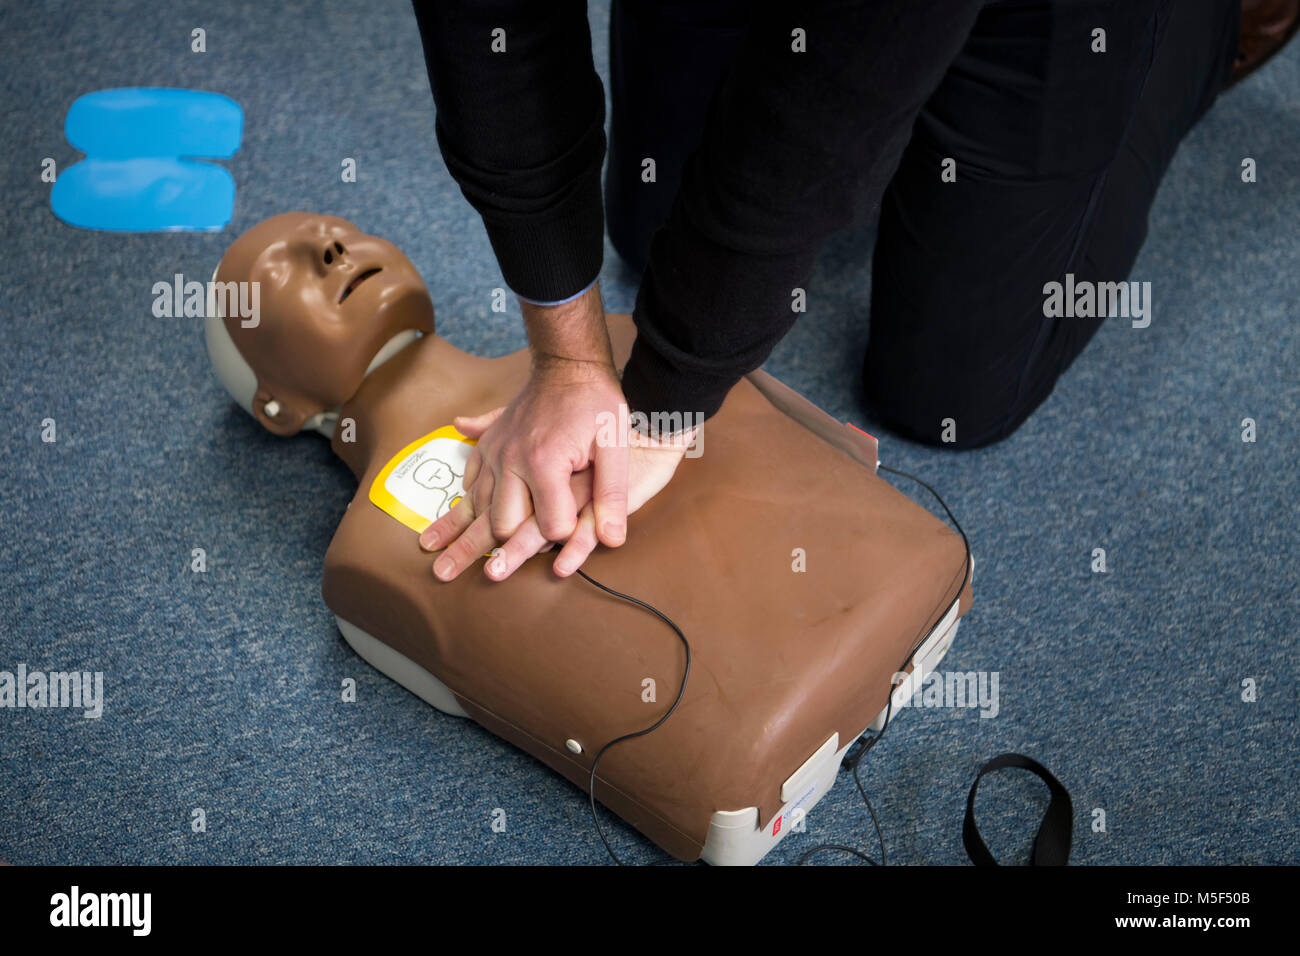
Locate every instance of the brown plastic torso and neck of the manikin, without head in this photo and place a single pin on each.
(799, 577)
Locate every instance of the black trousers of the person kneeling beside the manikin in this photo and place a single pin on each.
(1059, 154)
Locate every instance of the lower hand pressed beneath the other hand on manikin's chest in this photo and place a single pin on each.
(652, 466)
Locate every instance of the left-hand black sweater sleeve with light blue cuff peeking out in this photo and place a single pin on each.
(521, 123)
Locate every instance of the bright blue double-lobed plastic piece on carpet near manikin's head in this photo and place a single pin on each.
(136, 176)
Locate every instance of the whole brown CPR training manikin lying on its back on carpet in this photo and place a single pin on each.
(800, 578)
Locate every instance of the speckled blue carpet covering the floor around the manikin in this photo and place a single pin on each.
(223, 690)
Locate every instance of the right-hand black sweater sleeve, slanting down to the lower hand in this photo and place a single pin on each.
(796, 148)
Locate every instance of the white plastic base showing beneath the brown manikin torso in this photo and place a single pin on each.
(735, 838)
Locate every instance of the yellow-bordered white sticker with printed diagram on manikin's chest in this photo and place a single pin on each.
(423, 482)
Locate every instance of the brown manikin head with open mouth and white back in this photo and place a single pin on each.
(333, 304)
